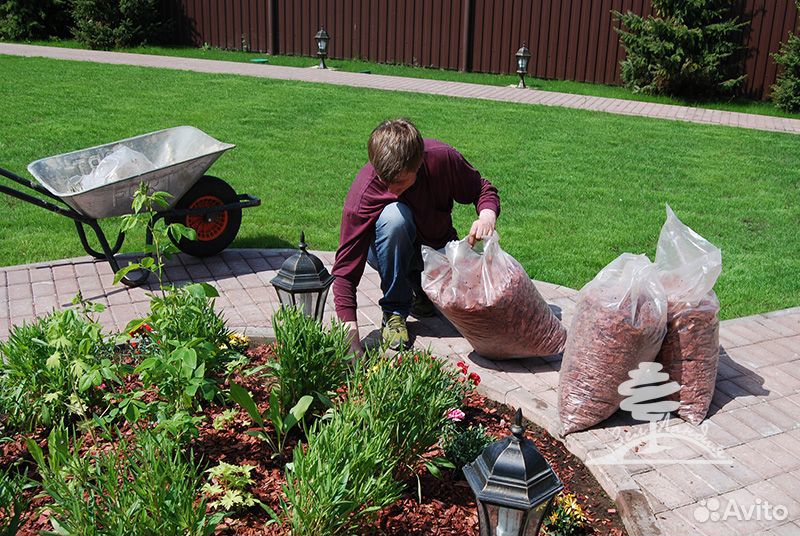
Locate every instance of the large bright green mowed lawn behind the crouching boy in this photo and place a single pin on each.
(578, 188)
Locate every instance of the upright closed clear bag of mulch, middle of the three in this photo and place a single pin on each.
(619, 322)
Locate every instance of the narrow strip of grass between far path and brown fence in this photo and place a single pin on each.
(565, 86)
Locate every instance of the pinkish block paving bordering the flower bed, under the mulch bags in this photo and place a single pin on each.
(745, 457)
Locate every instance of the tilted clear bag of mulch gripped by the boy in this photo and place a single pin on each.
(489, 298)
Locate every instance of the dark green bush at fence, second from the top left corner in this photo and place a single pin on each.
(107, 24)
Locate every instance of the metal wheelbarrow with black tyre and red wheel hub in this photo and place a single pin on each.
(177, 161)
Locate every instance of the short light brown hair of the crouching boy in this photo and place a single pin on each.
(395, 146)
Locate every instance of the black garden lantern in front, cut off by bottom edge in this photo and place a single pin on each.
(513, 484)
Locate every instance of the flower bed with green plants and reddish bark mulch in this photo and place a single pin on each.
(169, 429)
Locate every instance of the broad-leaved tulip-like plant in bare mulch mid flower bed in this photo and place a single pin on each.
(281, 424)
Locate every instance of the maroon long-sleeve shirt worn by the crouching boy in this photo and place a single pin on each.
(445, 177)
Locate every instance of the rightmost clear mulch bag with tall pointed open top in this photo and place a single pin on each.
(689, 266)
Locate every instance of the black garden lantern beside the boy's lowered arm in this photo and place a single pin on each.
(303, 282)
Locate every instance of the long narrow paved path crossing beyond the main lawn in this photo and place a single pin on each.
(418, 85)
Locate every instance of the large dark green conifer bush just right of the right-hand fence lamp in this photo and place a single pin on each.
(689, 48)
